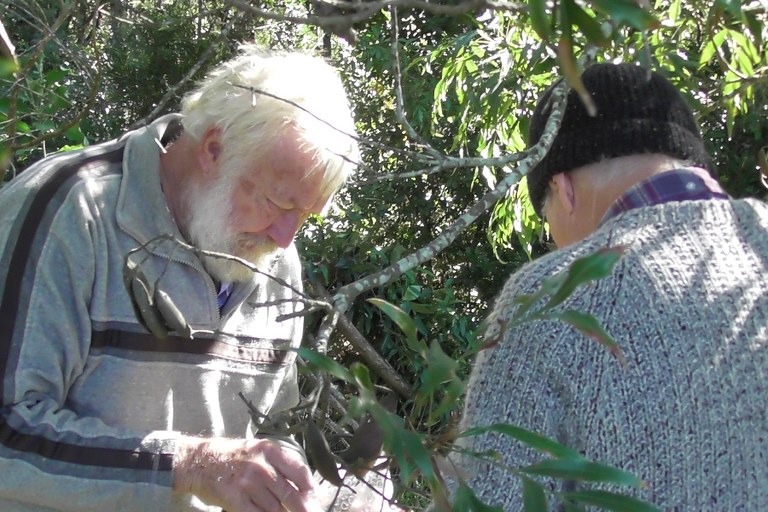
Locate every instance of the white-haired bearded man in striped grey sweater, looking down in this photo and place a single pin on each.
(99, 413)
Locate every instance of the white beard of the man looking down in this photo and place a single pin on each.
(210, 229)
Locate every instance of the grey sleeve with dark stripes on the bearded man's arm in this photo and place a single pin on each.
(52, 458)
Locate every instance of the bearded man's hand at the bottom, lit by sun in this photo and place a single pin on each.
(254, 475)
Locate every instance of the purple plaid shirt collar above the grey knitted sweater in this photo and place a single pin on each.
(688, 184)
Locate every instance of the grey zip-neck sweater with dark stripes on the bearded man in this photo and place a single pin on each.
(92, 404)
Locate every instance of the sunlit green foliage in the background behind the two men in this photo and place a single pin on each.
(90, 69)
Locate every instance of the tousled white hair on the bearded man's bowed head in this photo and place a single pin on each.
(258, 95)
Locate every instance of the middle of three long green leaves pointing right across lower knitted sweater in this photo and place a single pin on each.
(583, 470)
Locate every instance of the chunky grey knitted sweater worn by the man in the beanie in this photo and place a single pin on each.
(688, 304)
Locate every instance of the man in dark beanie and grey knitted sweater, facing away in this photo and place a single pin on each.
(687, 304)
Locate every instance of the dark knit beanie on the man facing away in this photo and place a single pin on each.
(635, 114)
